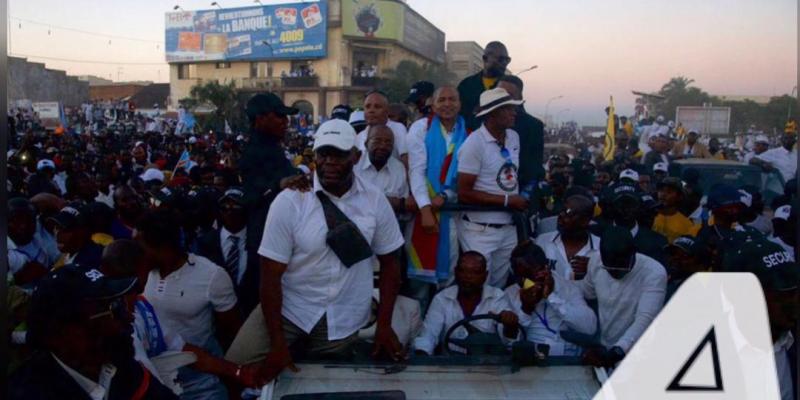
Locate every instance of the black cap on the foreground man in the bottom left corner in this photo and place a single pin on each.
(62, 291)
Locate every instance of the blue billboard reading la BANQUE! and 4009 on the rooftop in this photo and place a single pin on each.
(286, 31)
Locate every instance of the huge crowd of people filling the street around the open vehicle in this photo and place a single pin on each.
(243, 253)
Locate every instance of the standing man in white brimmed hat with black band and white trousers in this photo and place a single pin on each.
(487, 175)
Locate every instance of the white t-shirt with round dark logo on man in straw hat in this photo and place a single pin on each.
(481, 155)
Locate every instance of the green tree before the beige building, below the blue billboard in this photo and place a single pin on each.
(215, 103)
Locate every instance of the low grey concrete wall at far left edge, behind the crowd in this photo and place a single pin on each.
(34, 82)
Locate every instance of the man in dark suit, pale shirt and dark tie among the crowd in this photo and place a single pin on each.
(228, 247)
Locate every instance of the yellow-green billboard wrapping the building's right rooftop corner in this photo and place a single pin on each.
(392, 20)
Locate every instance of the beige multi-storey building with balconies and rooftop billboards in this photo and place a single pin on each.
(362, 41)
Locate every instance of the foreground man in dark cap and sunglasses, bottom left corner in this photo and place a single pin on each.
(81, 329)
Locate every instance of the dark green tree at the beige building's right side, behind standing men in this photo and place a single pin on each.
(401, 78)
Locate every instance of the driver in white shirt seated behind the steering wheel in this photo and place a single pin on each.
(469, 296)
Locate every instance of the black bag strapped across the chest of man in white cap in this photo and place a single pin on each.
(344, 237)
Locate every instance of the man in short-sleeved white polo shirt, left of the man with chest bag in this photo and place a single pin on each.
(190, 295)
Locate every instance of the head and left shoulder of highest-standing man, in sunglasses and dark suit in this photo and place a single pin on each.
(495, 61)
